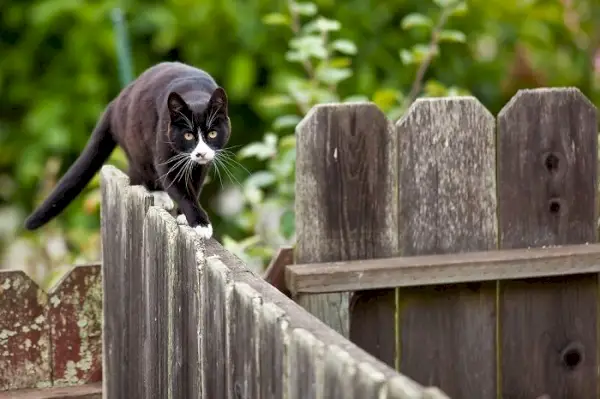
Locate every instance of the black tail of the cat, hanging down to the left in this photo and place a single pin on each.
(96, 152)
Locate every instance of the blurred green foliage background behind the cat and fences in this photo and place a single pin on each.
(59, 66)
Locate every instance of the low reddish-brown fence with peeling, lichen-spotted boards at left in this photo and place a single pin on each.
(49, 341)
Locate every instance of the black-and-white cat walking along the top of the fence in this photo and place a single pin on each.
(171, 122)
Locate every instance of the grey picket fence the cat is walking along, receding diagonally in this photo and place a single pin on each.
(183, 318)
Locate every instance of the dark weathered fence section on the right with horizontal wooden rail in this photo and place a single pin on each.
(499, 318)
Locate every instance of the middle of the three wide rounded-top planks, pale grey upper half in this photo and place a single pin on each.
(446, 152)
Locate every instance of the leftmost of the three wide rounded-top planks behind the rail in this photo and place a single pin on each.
(345, 178)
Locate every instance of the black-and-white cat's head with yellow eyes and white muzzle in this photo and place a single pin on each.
(199, 130)
